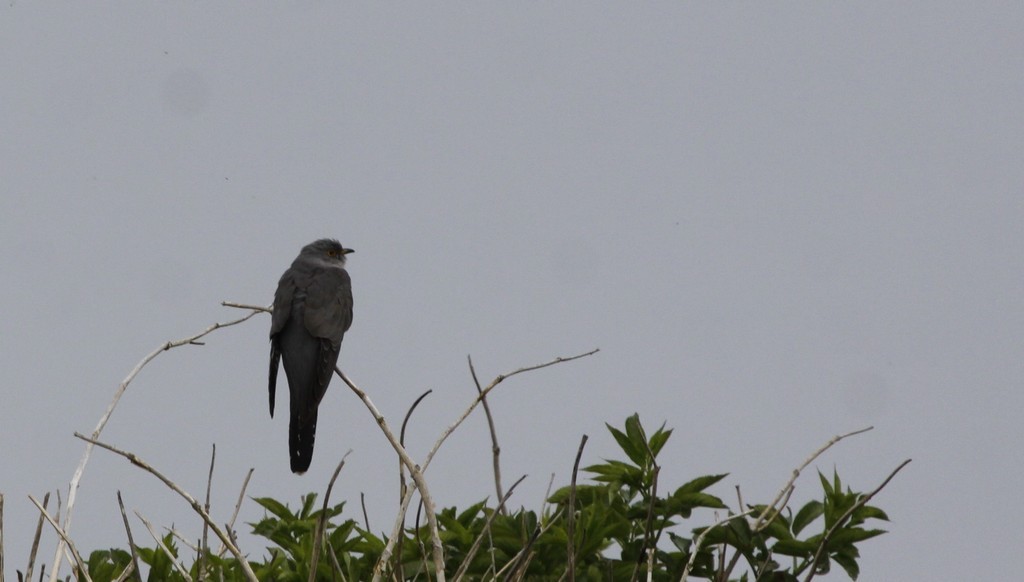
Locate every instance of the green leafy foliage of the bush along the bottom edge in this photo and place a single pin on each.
(625, 523)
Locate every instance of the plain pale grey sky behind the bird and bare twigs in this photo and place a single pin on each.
(778, 222)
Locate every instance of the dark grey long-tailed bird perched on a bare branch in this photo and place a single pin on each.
(313, 310)
